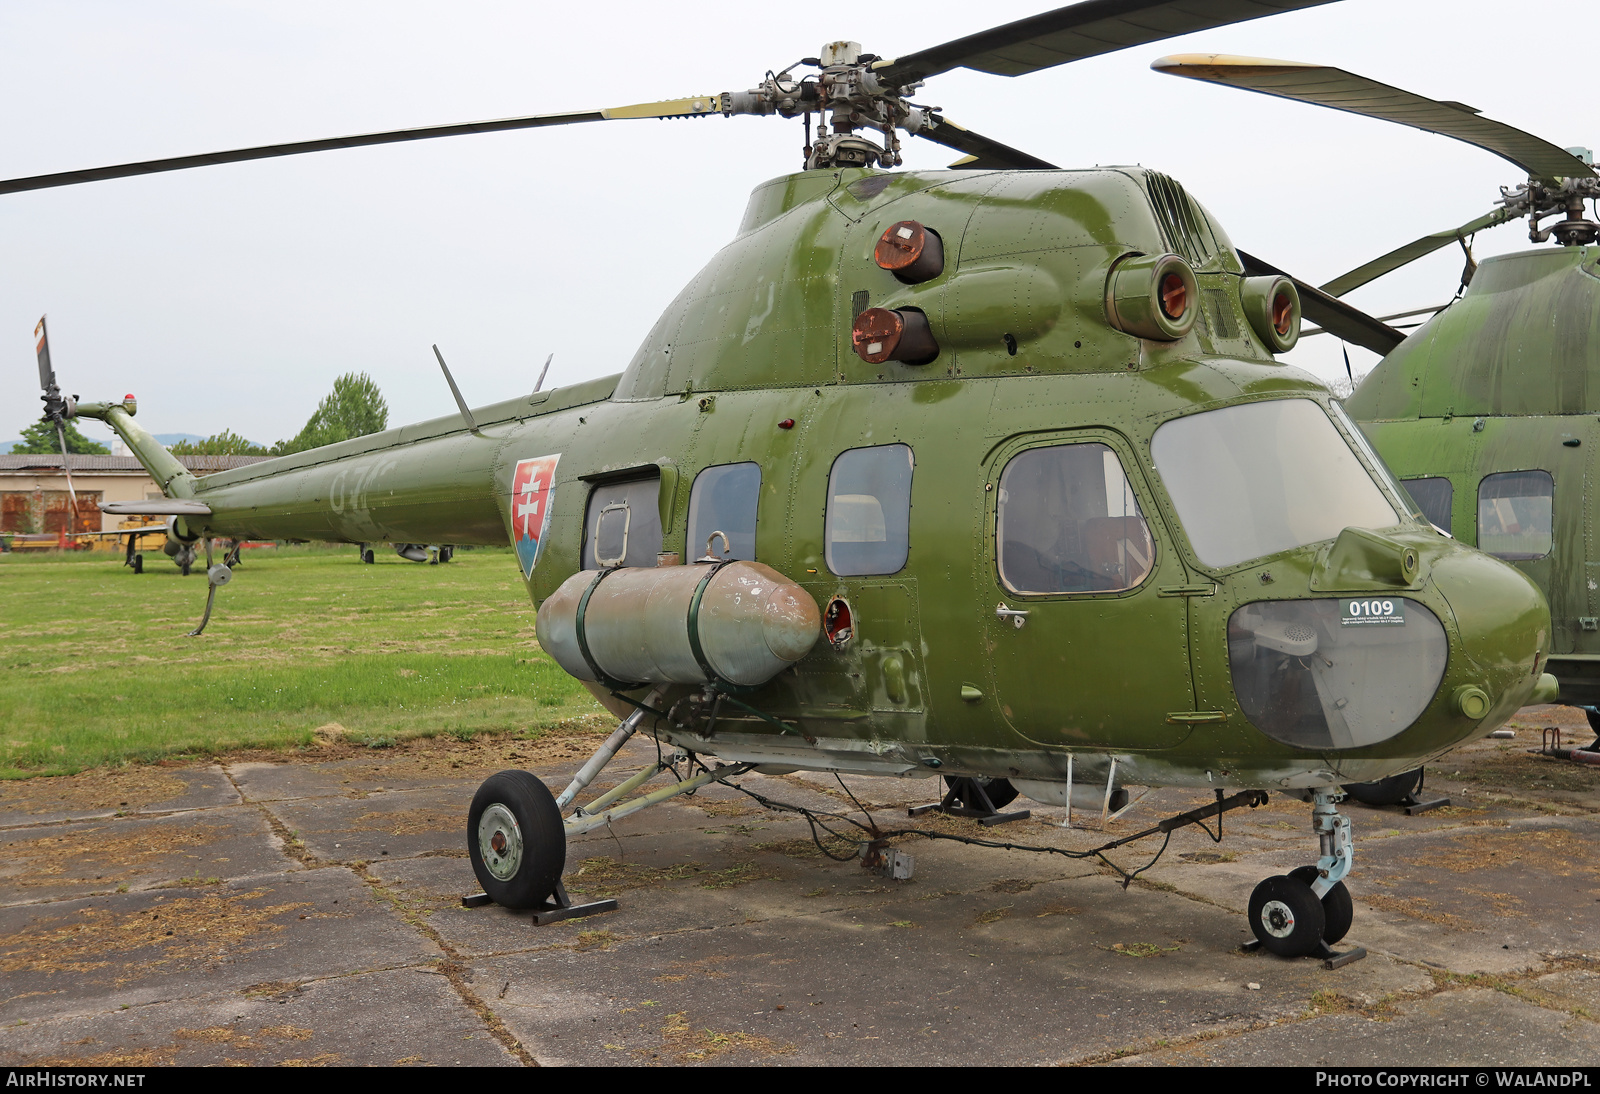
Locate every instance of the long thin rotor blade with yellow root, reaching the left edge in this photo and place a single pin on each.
(702, 106)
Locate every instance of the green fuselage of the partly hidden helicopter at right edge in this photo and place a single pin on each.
(1508, 380)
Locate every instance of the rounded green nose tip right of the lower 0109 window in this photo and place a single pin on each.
(1505, 633)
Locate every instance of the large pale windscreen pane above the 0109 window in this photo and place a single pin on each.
(1258, 479)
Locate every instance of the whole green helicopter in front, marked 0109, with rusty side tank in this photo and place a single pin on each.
(986, 474)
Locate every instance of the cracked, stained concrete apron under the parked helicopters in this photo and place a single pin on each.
(286, 911)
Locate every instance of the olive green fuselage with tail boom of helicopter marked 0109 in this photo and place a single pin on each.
(754, 364)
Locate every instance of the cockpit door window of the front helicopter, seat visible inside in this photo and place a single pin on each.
(1068, 522)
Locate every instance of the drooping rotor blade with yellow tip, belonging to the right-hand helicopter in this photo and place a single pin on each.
(1354, 94)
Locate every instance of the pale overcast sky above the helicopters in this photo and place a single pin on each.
(231, 297)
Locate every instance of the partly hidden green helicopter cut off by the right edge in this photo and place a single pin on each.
(1490, 412)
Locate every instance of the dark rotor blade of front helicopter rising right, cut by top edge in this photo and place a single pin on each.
(1076, 33)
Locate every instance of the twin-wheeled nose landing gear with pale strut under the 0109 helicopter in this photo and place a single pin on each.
(1305, 912)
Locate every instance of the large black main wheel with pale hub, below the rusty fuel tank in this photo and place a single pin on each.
(516, 840)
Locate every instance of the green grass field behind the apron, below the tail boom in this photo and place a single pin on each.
(98, 666)
